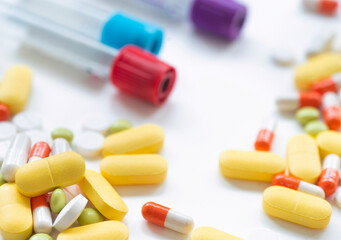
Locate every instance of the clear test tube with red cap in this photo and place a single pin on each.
(130, 69)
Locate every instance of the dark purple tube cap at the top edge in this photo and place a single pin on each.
(224, 18)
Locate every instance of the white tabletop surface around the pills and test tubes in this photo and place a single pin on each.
(222, 94)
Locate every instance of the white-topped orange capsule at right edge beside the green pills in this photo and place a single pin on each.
(331, 110)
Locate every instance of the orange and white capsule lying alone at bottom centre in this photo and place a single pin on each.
(166, 217)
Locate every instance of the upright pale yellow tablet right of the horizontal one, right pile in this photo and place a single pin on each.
(303, 158)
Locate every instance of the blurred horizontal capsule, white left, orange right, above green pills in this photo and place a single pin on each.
(289, 103)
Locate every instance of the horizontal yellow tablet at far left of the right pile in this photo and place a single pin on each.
(256, 165)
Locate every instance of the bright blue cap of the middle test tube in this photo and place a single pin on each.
(121, 30)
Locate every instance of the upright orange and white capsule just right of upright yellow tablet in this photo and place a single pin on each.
(329, 178)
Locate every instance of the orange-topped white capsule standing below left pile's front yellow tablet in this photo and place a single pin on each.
(42, 219)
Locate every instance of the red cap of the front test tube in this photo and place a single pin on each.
(143, 75)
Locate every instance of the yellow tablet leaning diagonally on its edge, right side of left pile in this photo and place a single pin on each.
(103, 195)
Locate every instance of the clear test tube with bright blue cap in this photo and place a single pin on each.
(113, 29)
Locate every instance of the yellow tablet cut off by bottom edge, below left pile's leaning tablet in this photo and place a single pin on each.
(108, 230)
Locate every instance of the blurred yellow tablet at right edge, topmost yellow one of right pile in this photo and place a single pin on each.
(316, 69)
